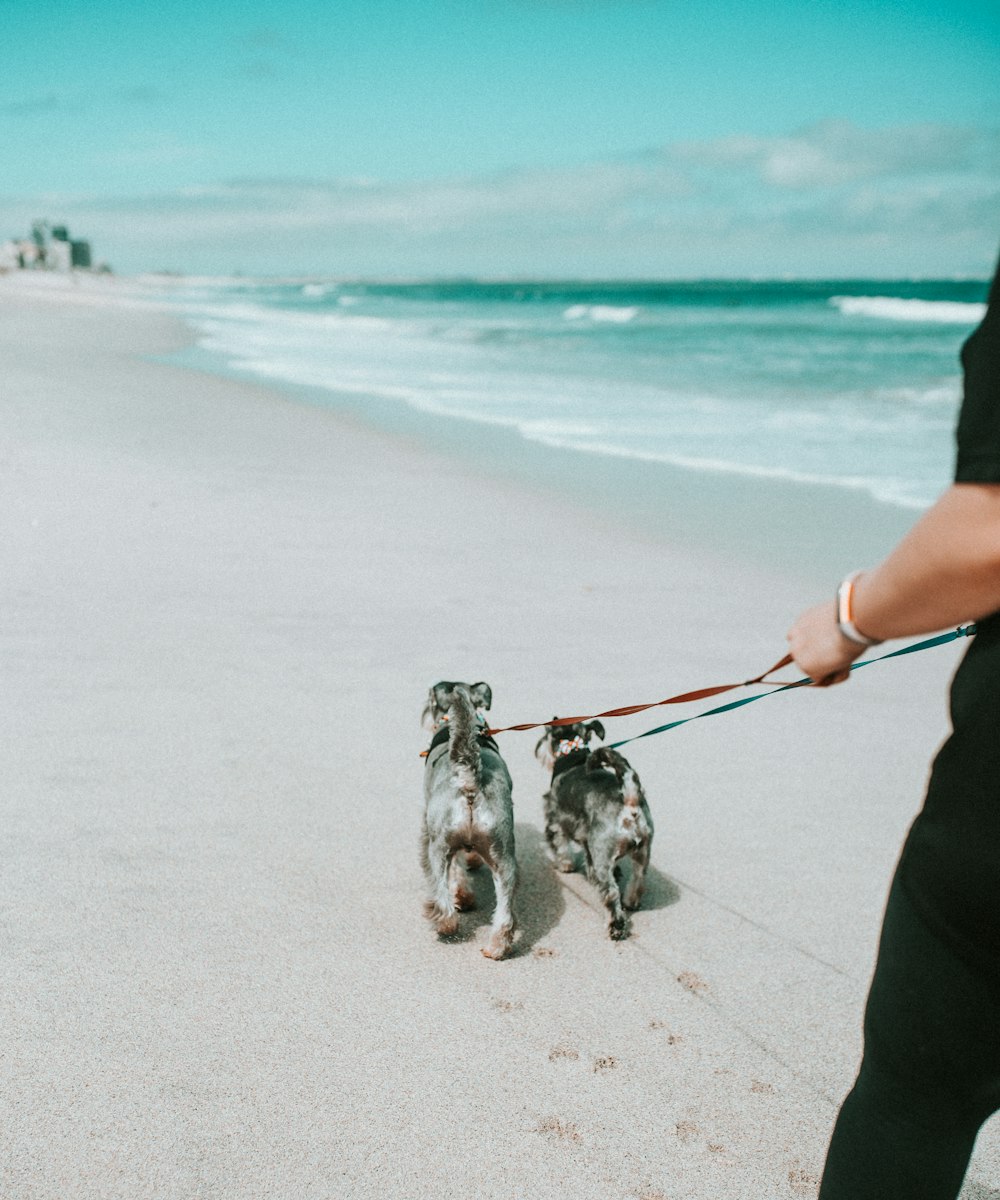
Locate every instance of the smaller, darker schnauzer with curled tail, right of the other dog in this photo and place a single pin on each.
(597, 802)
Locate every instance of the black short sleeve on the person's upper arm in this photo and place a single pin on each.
(979, 423)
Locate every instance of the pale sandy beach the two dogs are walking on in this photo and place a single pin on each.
(224, 607)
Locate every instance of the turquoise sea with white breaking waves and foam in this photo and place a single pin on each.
(853, 385)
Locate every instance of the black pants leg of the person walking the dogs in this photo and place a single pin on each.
(931, 1073)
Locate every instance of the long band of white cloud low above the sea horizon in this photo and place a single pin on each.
(813, 202)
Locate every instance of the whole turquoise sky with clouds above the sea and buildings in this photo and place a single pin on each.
(508, 139)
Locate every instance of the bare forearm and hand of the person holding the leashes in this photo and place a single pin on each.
(945, 572)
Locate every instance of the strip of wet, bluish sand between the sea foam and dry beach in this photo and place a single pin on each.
(811, 532)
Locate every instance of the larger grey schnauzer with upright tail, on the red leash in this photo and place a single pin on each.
(468, 812)
